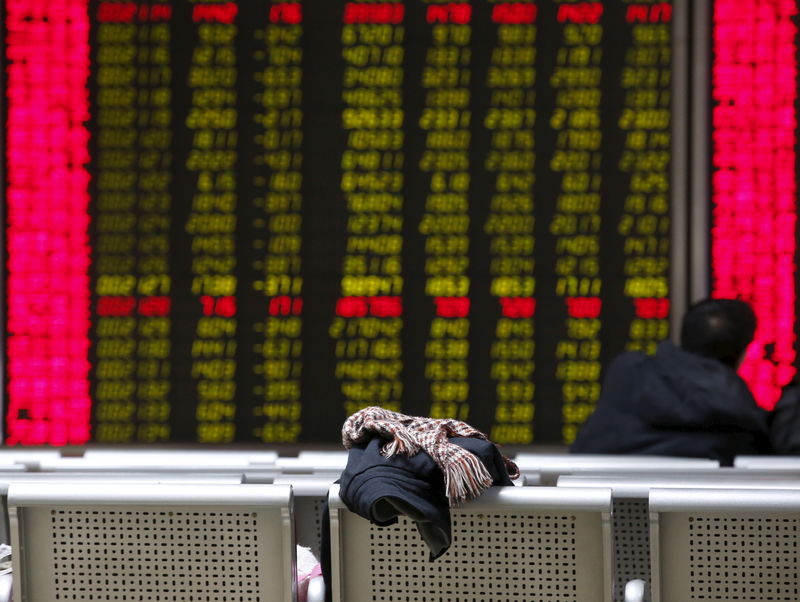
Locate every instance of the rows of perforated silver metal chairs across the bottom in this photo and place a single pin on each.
(606, 532)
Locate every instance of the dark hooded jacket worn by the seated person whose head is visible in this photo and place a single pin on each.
(675, 403)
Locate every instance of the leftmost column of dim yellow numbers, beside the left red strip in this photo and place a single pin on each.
(115, 228)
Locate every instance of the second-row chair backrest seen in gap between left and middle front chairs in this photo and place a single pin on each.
(310, 494)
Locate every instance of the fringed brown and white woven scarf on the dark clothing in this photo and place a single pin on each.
(465, 476)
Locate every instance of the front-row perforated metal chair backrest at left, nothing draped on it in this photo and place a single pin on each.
(116, 542)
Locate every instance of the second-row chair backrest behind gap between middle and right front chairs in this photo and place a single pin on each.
(630, 523)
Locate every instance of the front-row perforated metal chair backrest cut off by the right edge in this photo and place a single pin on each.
(725, 544)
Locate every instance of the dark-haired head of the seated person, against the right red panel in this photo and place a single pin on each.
(719, 328)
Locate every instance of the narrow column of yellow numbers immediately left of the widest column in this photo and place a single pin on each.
(281, 137)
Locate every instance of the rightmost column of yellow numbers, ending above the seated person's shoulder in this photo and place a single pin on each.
(645, 222)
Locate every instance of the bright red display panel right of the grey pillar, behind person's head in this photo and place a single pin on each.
(754, 202)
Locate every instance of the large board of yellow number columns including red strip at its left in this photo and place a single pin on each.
(281, 212)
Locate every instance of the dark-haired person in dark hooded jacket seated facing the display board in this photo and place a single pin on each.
(685, 400)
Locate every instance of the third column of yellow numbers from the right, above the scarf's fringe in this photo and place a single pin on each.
(510, 118)
